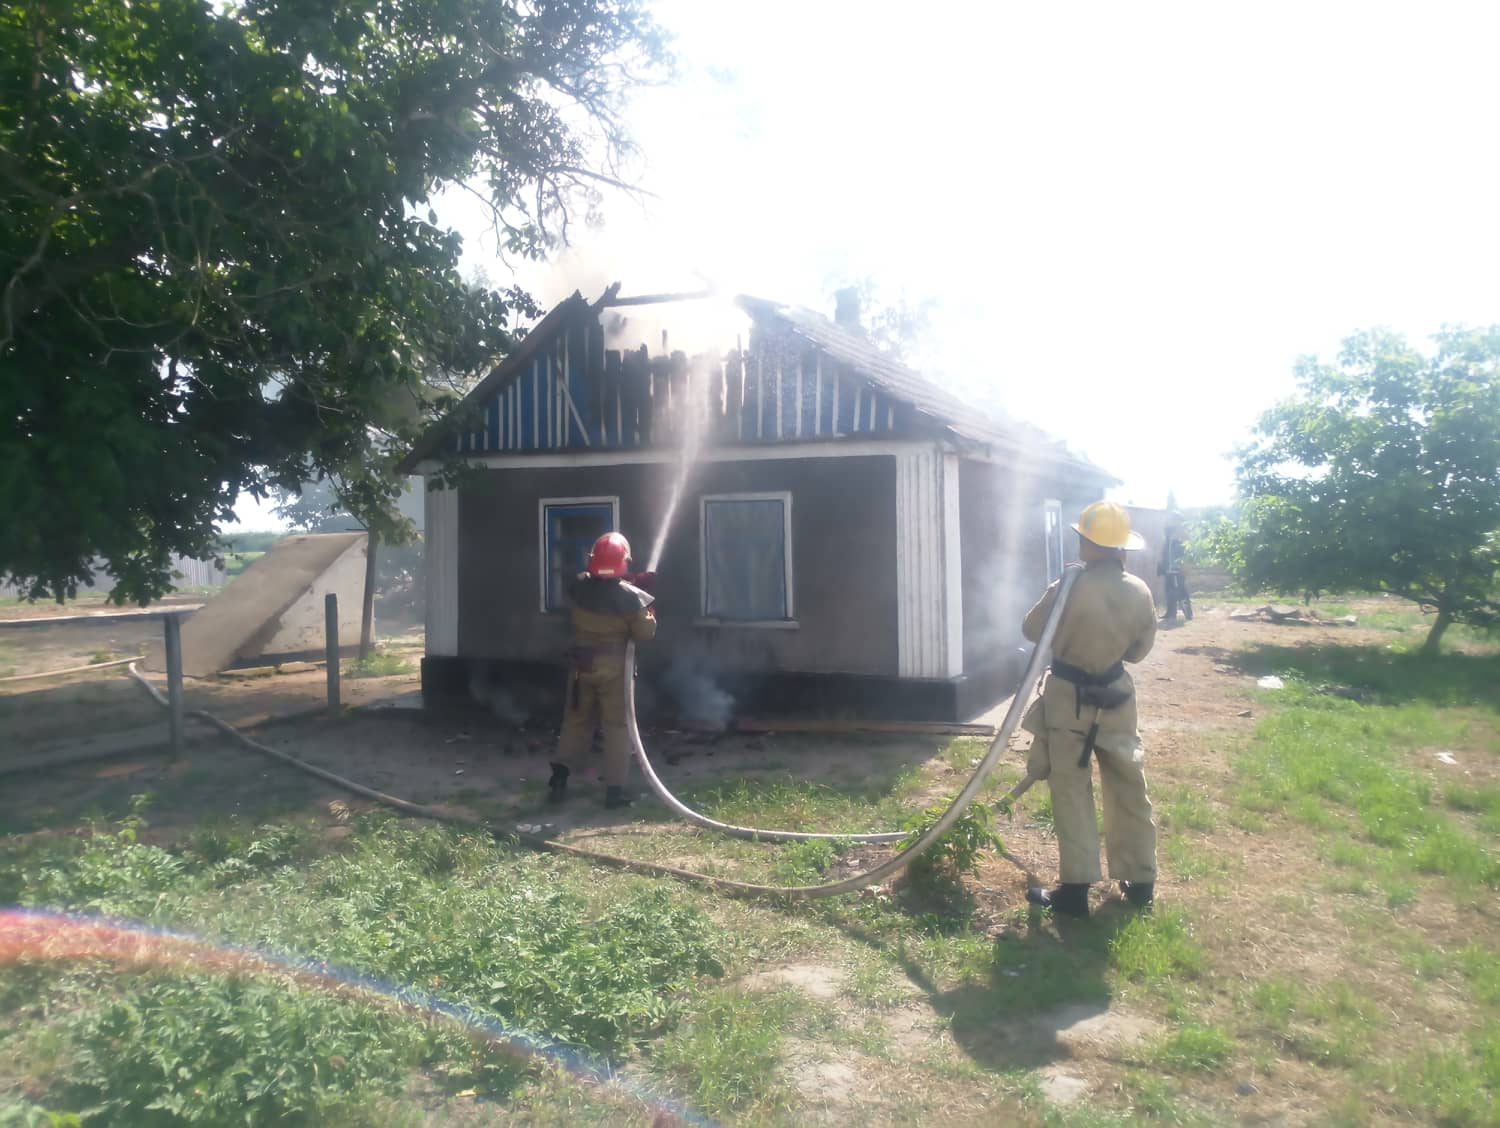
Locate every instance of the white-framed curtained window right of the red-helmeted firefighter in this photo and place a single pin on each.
(748, 557)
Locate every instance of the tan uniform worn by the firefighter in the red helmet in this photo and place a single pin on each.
(605, 616)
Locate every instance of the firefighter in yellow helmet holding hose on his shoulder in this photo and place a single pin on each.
(1087, 712)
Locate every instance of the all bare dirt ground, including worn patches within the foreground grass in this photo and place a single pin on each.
(1198, 700)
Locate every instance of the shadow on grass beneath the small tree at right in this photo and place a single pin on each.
(1385, 676)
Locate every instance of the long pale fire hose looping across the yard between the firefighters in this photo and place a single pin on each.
(893, 865)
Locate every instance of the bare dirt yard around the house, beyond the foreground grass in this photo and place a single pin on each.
(1190, 689)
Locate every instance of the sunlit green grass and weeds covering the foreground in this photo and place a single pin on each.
(1327, 950)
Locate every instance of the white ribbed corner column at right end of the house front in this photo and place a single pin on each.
(928, 565)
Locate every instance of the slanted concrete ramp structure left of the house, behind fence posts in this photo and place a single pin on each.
(274, 610)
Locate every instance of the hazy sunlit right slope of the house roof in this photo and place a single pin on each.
(908, 386)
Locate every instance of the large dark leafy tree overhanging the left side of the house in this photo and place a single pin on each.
(221, 269)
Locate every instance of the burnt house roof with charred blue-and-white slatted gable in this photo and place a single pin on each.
(799, 379)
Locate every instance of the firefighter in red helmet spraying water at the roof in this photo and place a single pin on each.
(608, 610)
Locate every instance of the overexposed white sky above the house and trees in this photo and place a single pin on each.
(1133, 218)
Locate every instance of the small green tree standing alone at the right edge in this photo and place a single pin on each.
(1382, 475)
